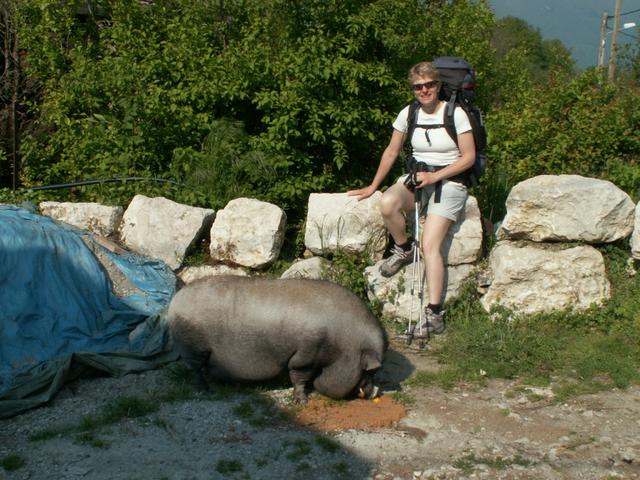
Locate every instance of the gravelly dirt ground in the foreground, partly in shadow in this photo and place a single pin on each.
(496, 432)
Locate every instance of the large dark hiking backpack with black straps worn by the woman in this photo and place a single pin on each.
(458, 83)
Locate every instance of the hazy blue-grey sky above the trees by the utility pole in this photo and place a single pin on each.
(575, 22)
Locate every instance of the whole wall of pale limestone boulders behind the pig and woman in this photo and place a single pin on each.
(544, 258)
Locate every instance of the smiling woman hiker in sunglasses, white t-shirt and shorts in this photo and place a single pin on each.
(436, 152)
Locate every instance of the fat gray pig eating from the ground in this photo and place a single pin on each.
(243, 328)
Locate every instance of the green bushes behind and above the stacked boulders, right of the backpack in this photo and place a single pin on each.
(570, 127)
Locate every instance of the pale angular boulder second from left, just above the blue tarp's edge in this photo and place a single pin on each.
(163, 229)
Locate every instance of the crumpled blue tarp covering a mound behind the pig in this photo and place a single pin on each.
(59, 314)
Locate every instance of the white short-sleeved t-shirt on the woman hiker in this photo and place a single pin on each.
(442, 150)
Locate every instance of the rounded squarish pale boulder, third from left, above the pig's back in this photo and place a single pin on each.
(248, 232)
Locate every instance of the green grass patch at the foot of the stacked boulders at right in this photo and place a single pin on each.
(580, 352)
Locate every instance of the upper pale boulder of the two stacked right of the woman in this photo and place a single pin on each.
(567, 208)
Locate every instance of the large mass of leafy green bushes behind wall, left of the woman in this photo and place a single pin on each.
(144, 90)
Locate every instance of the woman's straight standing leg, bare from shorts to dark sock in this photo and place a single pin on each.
(433, 235)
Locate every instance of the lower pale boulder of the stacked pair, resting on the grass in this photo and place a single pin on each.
(532, 278)
